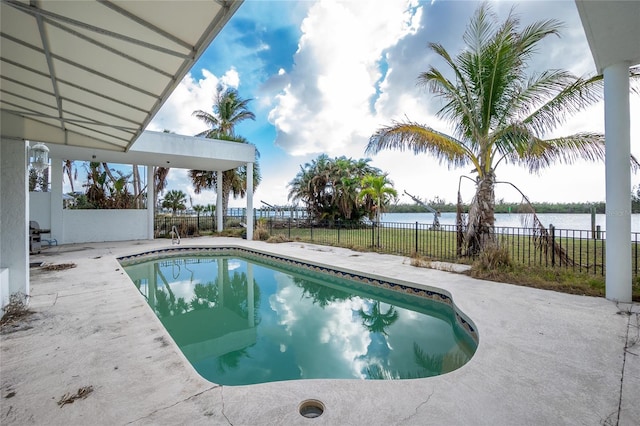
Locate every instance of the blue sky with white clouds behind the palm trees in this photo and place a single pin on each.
(323, 76)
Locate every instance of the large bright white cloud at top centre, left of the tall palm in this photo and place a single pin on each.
(326, 102)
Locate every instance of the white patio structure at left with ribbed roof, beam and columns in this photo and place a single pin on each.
(90, 75)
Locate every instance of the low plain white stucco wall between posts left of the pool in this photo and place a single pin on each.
(85, 226)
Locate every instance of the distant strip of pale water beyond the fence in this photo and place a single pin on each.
(560, 221)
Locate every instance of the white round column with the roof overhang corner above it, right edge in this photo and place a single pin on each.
(613, 32)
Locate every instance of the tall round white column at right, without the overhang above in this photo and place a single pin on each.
(618, 182)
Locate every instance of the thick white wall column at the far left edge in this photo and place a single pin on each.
(14, 217)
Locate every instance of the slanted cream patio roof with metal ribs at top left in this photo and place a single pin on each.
(93, 73)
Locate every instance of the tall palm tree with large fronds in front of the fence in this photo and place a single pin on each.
(501, 114)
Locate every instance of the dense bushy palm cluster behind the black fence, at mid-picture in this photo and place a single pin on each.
(334, 189)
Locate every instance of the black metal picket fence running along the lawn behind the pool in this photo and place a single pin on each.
(578, 250)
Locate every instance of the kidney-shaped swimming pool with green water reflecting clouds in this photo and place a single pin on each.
(244, 317)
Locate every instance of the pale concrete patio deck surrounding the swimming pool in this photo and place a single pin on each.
(544, 358)
